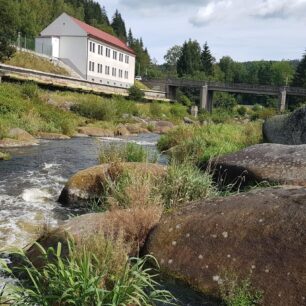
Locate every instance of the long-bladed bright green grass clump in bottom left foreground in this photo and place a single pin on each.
(80, 279)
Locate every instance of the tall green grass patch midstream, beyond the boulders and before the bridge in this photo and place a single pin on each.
(205, 142)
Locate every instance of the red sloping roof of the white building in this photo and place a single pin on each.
(103, 36)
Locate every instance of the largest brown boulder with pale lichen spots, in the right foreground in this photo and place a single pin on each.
(258, 235)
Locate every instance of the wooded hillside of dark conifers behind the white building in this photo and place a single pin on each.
(30, 17)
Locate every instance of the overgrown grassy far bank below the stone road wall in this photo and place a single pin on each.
(36, 110)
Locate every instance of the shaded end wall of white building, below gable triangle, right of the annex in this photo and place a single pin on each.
(73, 52)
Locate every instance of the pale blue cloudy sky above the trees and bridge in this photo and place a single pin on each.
(243, 29)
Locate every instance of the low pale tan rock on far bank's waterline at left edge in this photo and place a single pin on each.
(17, 137)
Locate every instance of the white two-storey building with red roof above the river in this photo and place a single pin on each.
(95, 55)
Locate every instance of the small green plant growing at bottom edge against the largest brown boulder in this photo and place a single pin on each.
(235, 293)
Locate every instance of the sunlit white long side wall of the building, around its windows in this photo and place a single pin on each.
(112, 63)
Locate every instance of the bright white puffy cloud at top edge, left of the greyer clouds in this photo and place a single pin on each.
(214, 10)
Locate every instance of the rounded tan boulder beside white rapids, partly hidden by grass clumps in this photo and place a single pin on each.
(87, 184)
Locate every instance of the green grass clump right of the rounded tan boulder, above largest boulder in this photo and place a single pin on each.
(184, 183)
